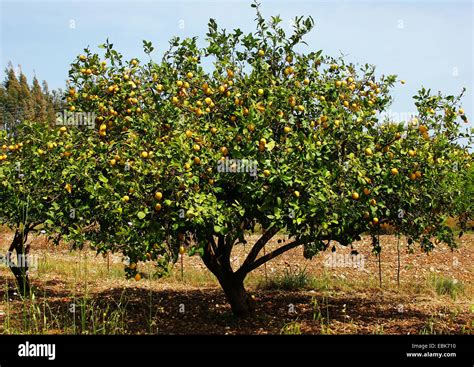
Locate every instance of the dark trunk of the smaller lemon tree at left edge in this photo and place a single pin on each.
(20, 269)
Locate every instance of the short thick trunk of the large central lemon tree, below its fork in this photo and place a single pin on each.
(241, 304)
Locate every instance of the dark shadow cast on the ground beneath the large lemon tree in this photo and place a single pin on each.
(205, 311)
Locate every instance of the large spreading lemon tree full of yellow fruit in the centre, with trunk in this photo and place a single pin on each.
(192, 152)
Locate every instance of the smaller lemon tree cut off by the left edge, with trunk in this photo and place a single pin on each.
(36, 176)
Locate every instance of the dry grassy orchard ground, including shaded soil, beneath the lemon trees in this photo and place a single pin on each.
(434, 296)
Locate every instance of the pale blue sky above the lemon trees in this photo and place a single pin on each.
(427, 43)
